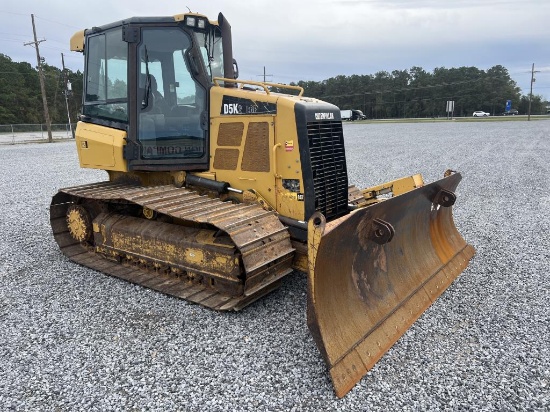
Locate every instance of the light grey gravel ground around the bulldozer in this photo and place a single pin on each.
(74, 339)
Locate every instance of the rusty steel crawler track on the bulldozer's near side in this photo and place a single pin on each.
(258, 240)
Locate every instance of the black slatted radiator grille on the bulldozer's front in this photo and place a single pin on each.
(328, 166)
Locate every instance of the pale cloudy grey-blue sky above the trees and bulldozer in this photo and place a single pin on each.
(315, 40)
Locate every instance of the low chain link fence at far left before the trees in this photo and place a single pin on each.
(27, 133)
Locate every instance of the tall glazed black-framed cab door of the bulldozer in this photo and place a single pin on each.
(169, 129)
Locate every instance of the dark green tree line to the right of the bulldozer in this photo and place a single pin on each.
(418, 93)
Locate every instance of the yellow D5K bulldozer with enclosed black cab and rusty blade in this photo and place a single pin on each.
(219, 187)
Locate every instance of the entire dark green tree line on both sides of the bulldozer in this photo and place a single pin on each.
(401, 93)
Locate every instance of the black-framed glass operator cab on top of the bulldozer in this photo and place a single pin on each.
(151, 77)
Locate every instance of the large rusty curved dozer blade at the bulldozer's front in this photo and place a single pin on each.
(373, 272)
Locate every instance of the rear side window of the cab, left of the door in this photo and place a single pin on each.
(107, 77)
